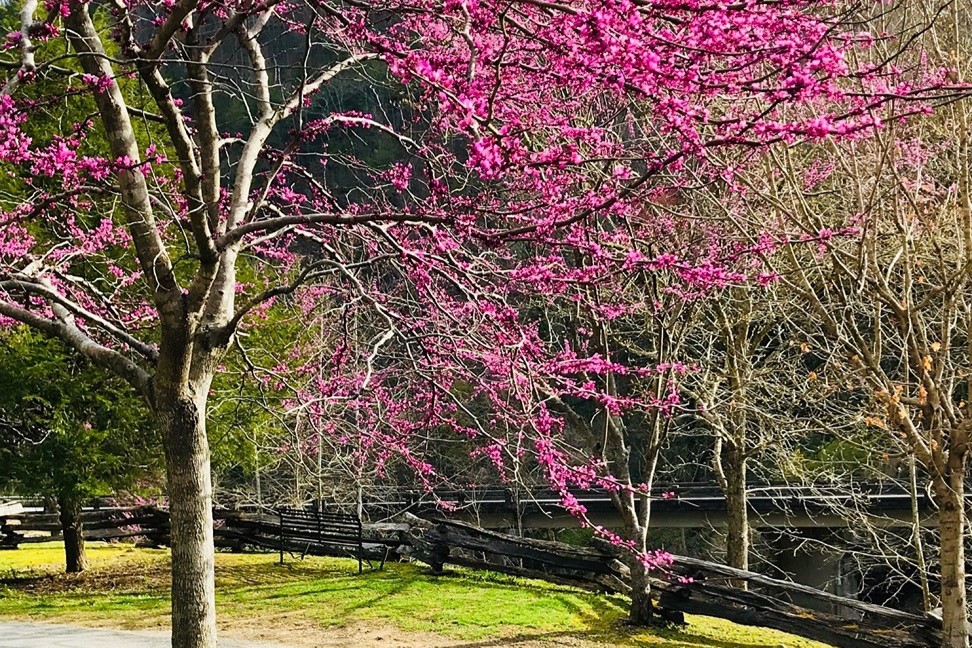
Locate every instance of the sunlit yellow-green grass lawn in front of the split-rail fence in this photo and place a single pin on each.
(259, 599)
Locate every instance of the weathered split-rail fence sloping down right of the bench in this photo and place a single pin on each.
(708, 591)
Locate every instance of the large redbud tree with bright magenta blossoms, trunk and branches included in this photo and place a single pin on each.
(215, 174)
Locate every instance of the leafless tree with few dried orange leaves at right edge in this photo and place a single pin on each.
(889, 292)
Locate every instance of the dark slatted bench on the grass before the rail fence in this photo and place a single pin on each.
(320, 533)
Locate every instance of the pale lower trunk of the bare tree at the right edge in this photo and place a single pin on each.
(951, 517)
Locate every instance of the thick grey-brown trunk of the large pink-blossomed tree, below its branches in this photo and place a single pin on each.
(183, 426)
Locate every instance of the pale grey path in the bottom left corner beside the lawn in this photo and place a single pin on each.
(17, 634)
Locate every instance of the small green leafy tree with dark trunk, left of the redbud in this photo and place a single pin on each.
(68, 431)
